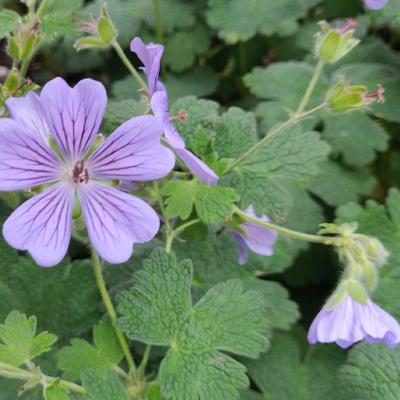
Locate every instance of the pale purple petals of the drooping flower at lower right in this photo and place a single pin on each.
(350, 321)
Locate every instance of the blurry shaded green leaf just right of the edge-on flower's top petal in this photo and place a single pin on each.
(183, 47)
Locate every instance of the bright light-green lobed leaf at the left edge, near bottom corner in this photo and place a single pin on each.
(19, 342)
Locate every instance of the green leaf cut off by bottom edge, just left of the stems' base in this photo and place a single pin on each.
(103, 385)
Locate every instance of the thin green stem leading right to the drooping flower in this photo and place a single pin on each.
(289, 232)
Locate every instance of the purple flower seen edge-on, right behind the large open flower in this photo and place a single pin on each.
(150, 55)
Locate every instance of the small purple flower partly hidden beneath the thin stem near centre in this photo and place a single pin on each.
(259, 239)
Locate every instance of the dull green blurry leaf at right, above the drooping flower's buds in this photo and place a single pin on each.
(338, 185)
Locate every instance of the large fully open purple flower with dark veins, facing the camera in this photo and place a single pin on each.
(71, 117)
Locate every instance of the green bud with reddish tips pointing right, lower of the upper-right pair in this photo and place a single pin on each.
(345, 97)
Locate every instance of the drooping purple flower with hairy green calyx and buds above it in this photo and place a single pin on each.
(361, 256)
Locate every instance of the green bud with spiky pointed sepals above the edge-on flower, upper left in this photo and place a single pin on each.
(102, 32)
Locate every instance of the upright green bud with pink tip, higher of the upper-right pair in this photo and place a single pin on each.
(334, 44)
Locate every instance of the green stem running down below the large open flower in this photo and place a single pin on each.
(111, 310)
